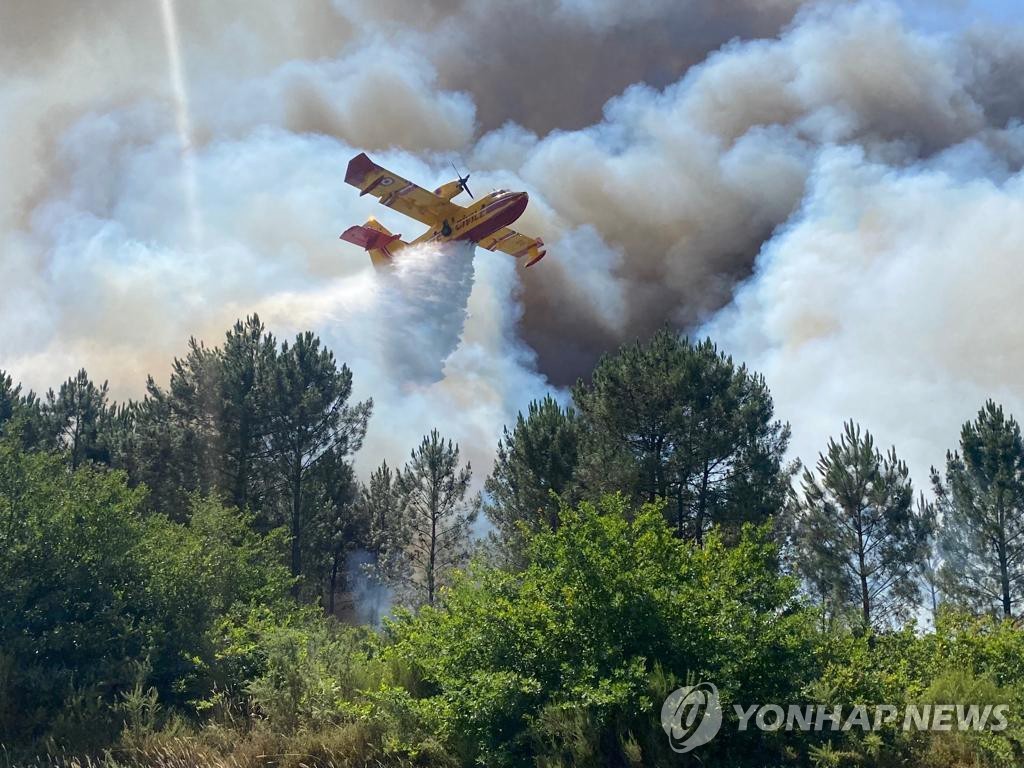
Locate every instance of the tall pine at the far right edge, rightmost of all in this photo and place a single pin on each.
(983, 506)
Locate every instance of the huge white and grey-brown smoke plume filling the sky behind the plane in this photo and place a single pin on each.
(830, 189)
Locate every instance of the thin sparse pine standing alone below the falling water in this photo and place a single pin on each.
(433, 491)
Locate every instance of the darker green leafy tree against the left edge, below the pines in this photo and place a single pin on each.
(73, 588)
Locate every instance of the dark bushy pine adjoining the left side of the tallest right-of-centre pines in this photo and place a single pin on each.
(536, 466)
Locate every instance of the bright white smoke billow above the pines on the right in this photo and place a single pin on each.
(893, 298)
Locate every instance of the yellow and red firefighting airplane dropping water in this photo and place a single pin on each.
(486, 223)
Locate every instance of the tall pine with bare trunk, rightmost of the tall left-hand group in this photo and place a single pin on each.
(309, 418)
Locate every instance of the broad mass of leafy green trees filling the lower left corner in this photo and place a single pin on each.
(90, 589)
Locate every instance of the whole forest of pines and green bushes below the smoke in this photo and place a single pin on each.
(199, 578)
